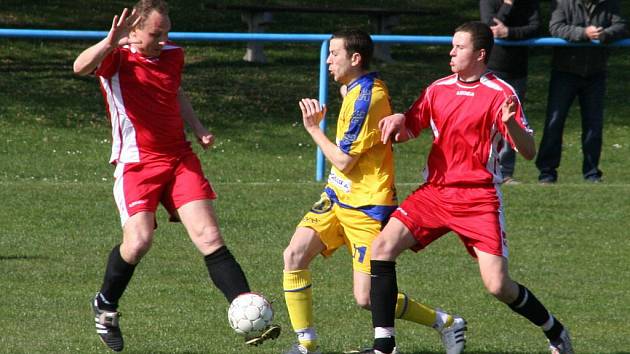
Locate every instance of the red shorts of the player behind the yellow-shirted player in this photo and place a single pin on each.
(475, 214)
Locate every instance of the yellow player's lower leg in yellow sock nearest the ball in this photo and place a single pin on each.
(304, 246)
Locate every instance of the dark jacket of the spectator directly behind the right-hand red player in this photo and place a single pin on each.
(523, 20)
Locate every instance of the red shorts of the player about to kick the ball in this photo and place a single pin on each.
(141, 186)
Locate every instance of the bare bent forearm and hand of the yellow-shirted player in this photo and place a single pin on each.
(312, 114)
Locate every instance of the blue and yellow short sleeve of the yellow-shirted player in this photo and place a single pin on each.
(363, 132)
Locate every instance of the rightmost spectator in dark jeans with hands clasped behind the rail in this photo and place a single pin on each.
(581, 72)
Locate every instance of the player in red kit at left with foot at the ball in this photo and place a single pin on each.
(140, 76)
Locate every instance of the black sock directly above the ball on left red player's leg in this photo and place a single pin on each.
(226, 273)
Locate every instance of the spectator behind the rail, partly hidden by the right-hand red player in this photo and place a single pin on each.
(510, 20)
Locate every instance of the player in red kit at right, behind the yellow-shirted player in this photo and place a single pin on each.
(470, 113)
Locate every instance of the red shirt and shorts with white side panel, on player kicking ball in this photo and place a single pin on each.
(154, 161)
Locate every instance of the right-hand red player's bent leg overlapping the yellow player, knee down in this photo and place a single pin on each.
(387, 246)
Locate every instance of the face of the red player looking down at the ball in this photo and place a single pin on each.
(153, 34)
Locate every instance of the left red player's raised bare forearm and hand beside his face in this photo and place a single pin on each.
(118, 35)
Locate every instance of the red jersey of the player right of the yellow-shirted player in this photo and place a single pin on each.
(467, 129)
